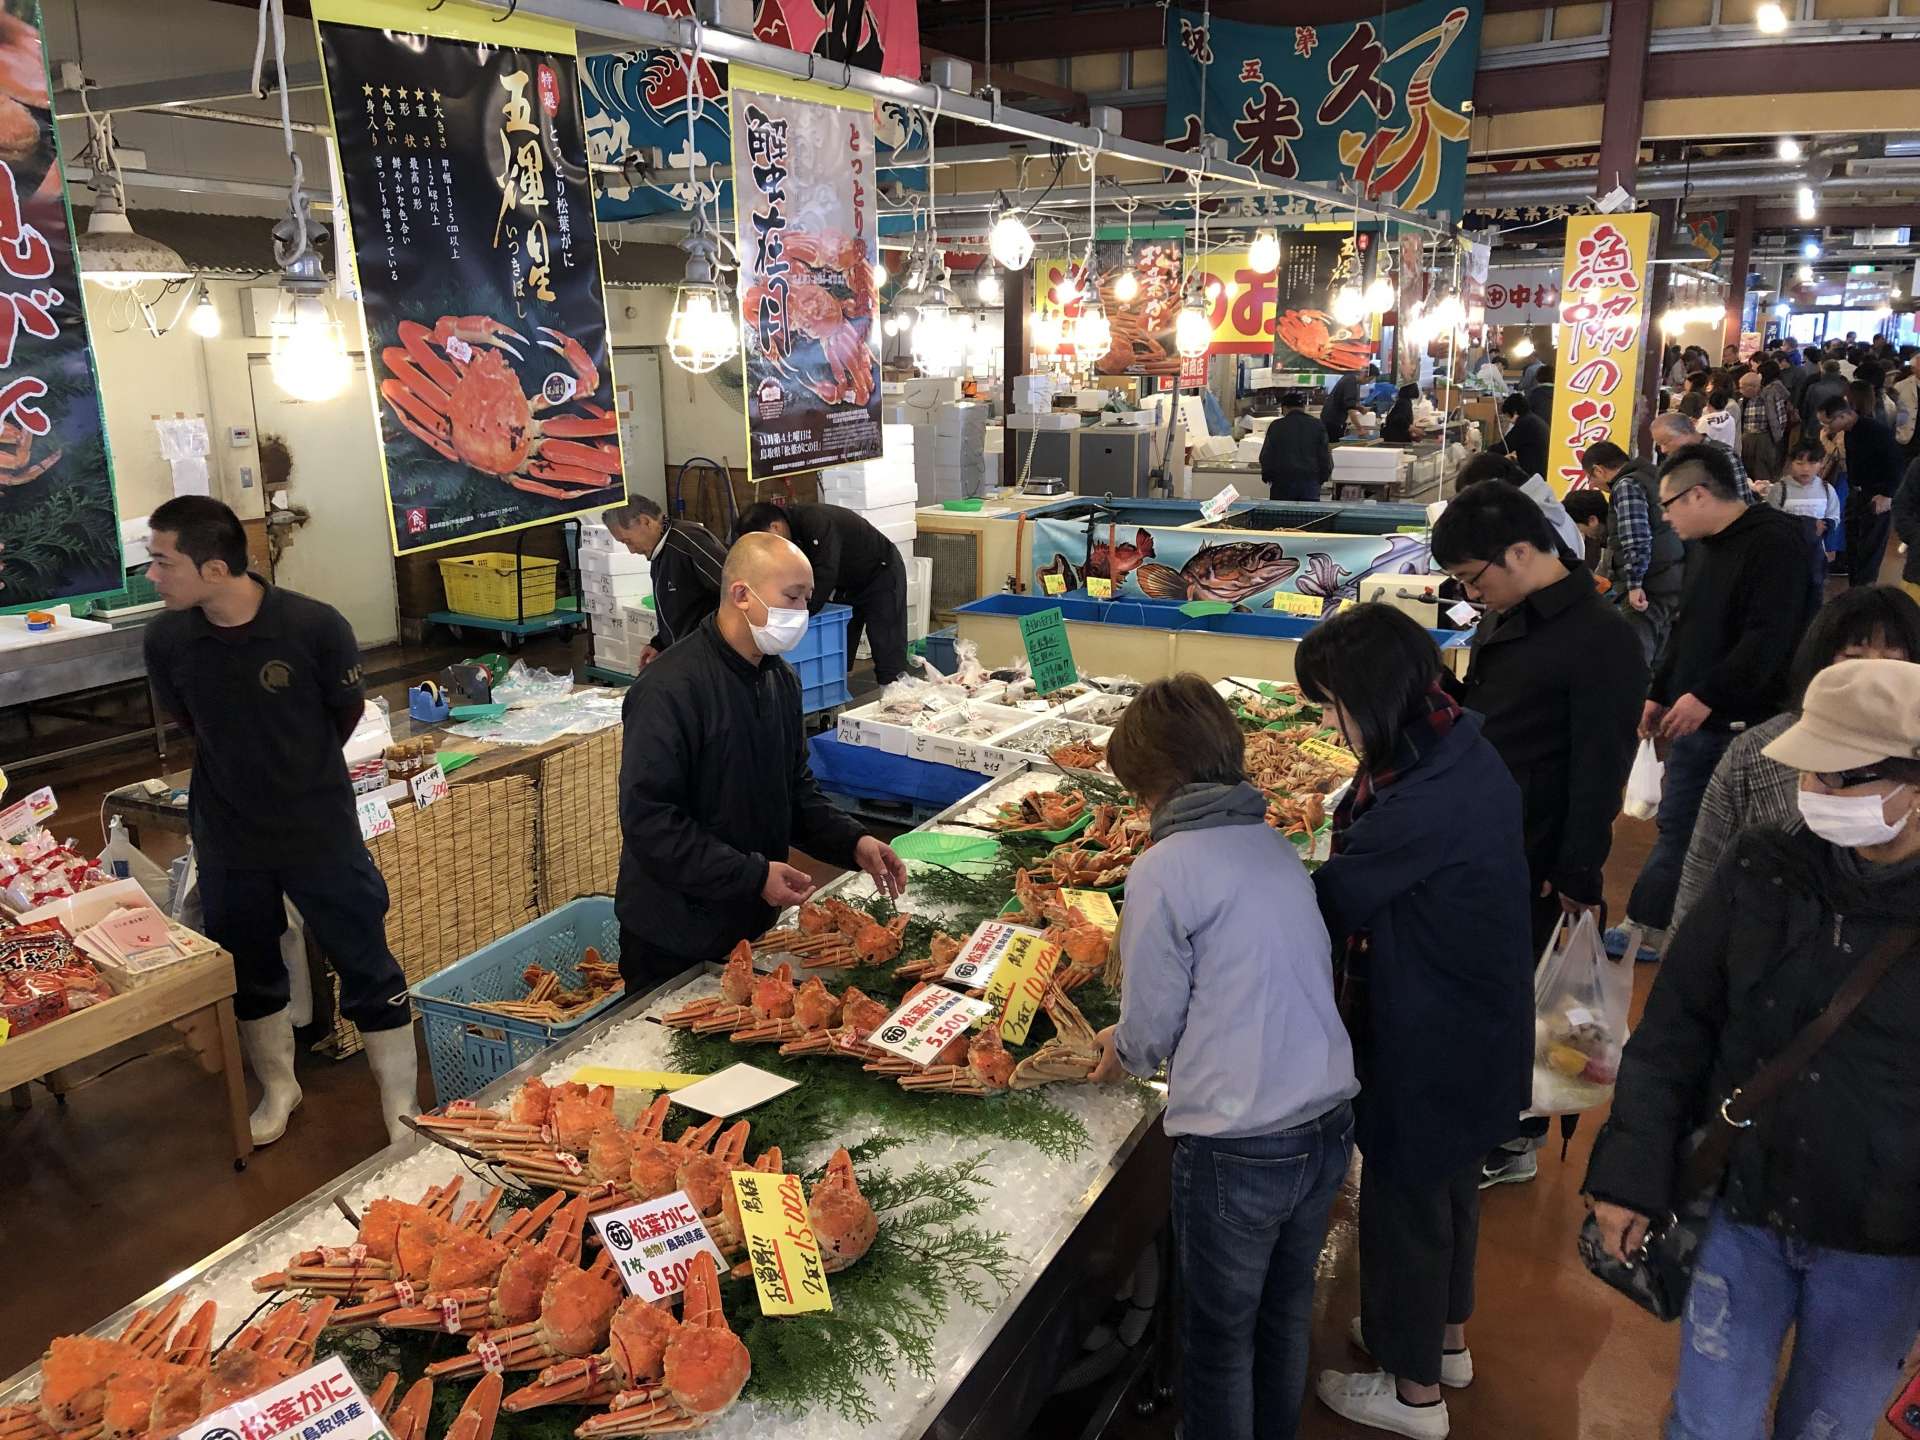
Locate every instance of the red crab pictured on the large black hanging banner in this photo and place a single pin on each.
(454, 393)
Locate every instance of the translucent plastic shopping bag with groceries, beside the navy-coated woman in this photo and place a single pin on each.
(1581, 1003)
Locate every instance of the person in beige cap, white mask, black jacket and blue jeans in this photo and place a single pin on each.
(1817, 1218)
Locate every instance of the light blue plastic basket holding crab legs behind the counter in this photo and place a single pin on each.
(468, 1047)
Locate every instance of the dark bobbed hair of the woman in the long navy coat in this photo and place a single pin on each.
(1378, 665)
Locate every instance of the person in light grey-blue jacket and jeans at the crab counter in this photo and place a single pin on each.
(1230, 984)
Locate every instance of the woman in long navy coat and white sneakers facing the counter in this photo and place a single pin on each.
(1428, 901)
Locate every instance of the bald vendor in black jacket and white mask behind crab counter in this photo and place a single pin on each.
(715, 782)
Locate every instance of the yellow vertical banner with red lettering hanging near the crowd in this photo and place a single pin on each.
(1602, 331)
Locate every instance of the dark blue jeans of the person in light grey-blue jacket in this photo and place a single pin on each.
(1249, 1224)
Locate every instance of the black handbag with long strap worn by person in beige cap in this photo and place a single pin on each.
(1660, 1276)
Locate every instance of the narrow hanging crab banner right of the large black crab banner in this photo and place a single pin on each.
(804, 176)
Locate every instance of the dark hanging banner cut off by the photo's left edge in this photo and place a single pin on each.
(59, 521)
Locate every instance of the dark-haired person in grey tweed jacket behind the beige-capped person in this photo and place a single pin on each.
(1871, 623)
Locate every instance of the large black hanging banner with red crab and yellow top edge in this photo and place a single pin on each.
(473, 229)
